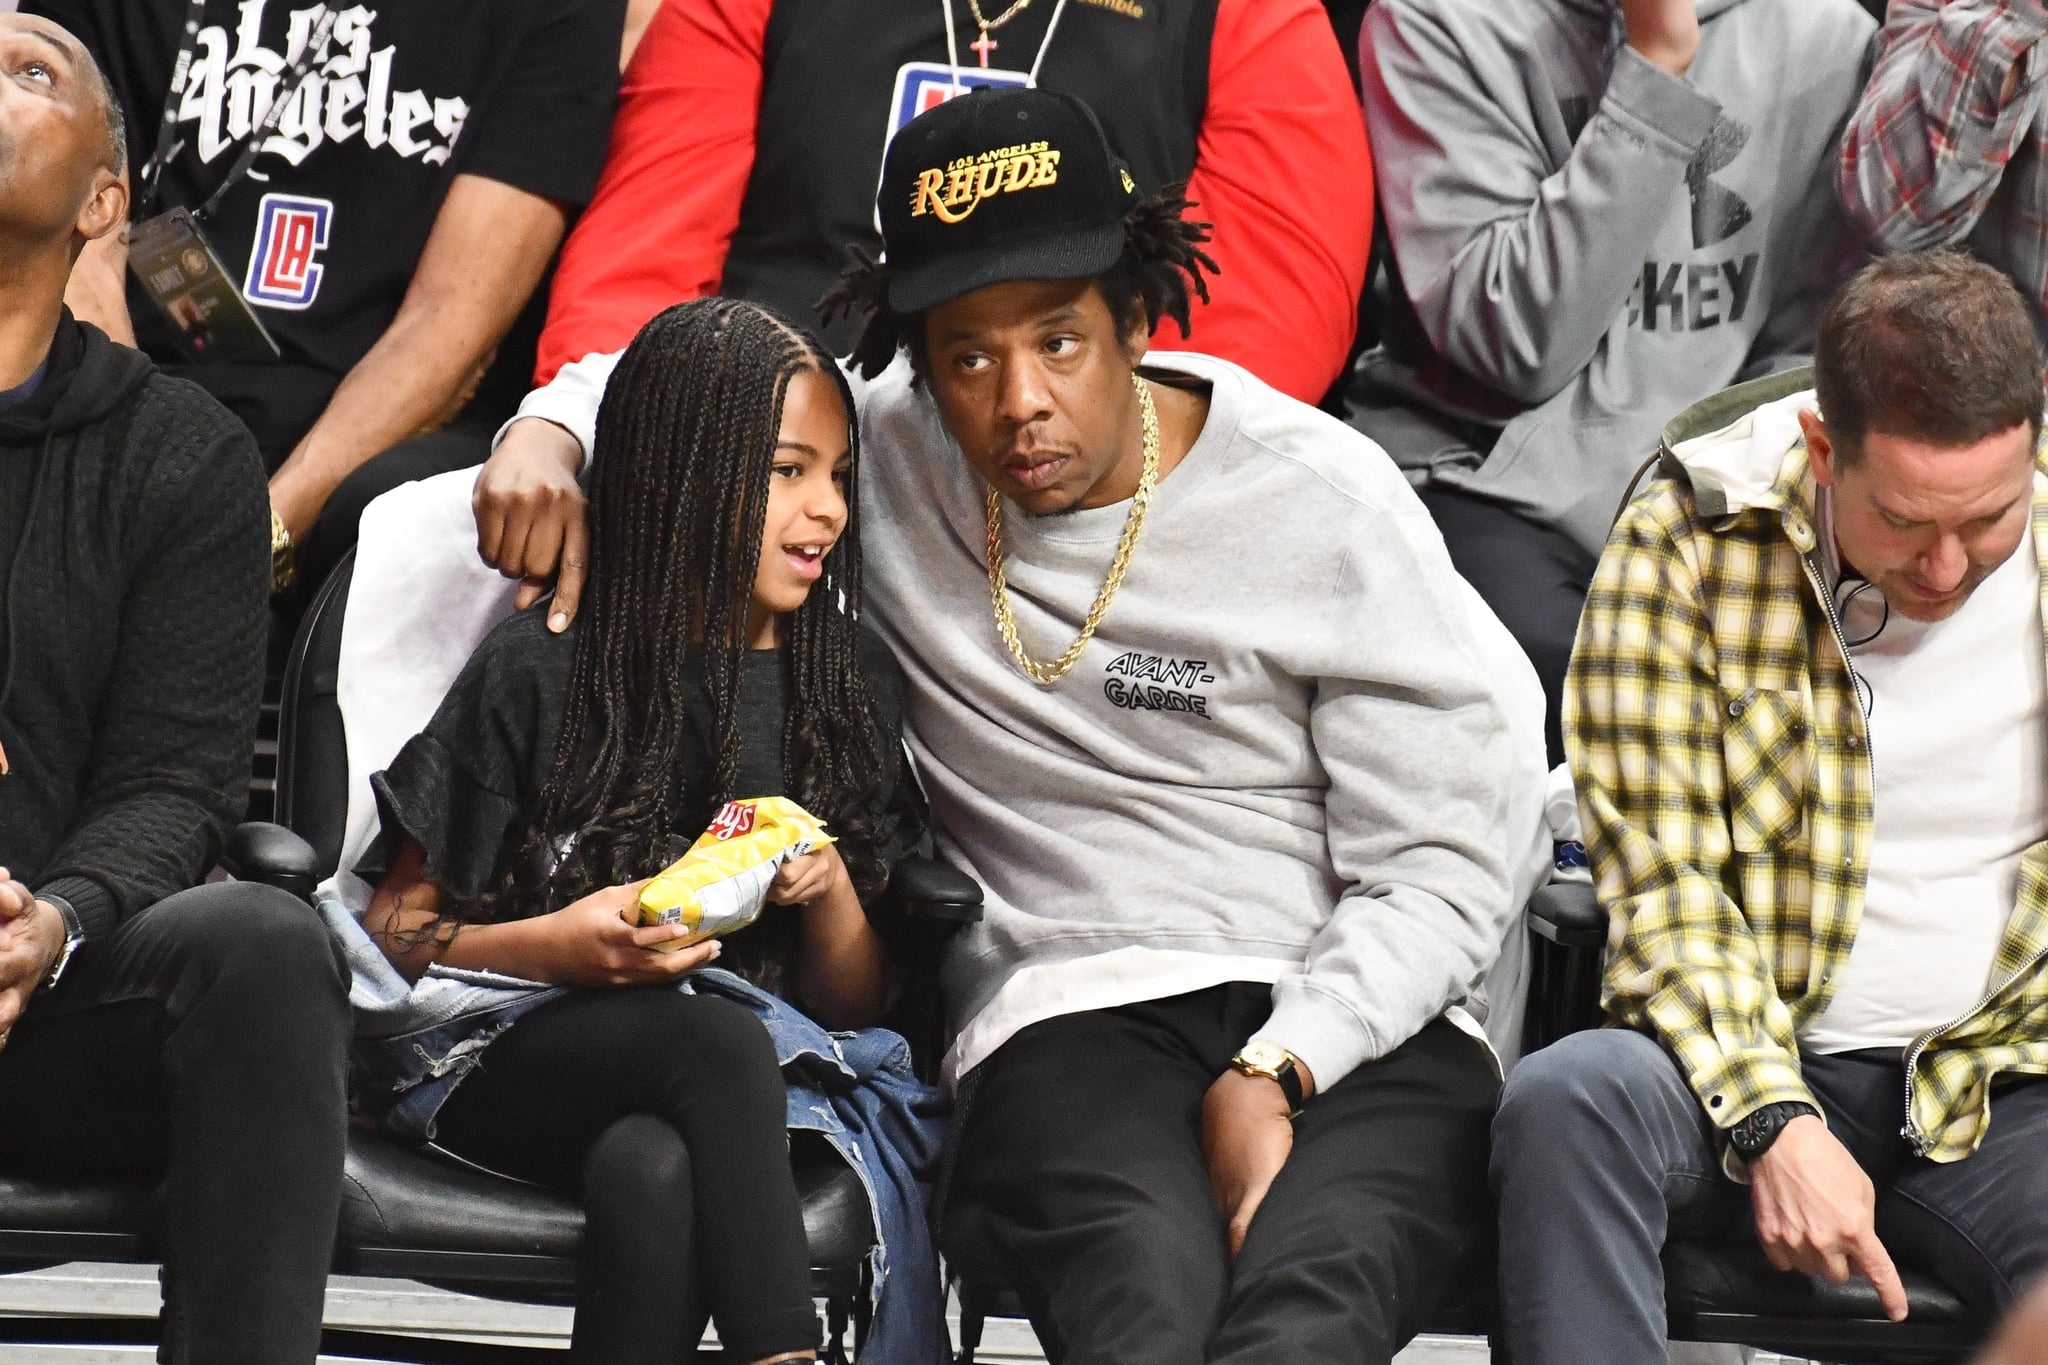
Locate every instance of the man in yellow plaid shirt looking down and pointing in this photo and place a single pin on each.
(1809, 728)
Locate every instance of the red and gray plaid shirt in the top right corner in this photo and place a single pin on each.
(1949, 144)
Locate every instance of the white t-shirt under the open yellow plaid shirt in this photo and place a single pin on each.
(1959, 734)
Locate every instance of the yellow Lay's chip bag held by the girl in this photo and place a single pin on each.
(722, 883)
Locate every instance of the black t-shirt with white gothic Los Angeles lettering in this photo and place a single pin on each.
(327, 230)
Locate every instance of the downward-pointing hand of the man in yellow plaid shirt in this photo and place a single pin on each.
(1818, 1213)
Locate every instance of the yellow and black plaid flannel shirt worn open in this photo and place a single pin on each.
(1725, 783)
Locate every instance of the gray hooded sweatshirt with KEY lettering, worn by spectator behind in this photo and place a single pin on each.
(1586, 243)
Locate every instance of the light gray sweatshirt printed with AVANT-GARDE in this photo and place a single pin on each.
(1297, 752)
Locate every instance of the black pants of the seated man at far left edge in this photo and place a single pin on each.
(204, 1041)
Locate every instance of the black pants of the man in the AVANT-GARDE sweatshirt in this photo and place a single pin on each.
(1080, 1182)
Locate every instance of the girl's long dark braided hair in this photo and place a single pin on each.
(679, 496)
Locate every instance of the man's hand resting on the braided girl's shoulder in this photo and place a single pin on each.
(531, 517)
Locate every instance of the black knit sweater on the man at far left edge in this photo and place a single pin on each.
(134, 566)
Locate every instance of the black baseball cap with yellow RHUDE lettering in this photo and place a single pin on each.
(1000, 185)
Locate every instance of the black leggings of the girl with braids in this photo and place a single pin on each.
(667, 1114)
